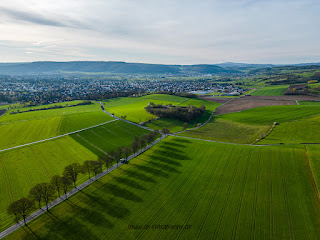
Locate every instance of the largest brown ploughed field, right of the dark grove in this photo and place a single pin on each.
(240, 104)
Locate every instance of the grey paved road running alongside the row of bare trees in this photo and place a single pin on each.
(75, 190)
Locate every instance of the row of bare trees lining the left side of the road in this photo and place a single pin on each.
(44, 193)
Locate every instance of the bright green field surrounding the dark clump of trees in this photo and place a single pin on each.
(133, 108)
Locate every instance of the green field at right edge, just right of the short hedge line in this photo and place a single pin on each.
(300, 131)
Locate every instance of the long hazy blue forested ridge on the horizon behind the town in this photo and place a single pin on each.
(111, 67)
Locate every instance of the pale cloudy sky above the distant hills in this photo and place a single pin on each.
(166, 31)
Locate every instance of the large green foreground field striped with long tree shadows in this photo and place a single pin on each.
(217, 191)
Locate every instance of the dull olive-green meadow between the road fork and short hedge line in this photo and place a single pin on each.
(224, 130)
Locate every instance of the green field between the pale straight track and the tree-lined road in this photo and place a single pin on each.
(22, 168)
